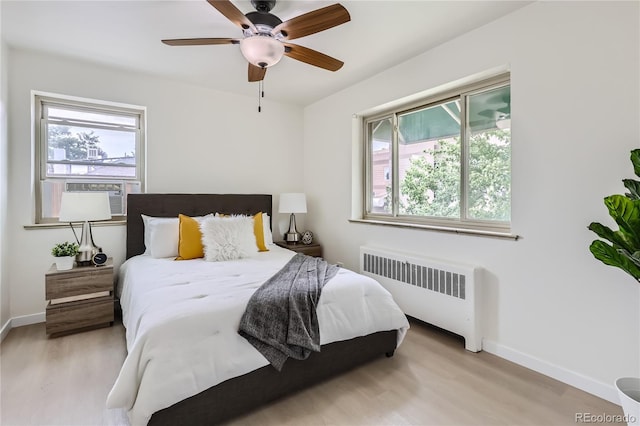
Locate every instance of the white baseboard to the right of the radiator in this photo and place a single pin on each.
(577, 380)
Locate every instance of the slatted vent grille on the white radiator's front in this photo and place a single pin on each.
(437, 280)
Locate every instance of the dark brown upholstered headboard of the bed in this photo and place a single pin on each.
(170, 205)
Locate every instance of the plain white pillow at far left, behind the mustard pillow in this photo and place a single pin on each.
(161, 235)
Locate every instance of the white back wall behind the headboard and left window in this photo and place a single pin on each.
(198, 140)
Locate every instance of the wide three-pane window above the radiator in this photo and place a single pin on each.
(443, 161)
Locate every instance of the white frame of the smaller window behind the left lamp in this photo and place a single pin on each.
(42, 99)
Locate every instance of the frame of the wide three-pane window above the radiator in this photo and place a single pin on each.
(463, 224)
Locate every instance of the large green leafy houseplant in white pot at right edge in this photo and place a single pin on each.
(621, 249)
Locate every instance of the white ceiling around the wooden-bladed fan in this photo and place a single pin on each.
(127, 34)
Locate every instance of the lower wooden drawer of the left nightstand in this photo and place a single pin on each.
(79, 314)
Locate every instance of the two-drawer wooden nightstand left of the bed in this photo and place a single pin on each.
(79, 299)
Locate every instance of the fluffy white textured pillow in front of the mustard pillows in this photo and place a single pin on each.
(228, 238)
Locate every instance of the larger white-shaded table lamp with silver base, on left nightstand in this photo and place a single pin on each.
(85, 207)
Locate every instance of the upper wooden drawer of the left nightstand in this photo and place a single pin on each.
(73, 283)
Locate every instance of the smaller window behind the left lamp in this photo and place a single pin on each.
(86, 145)
